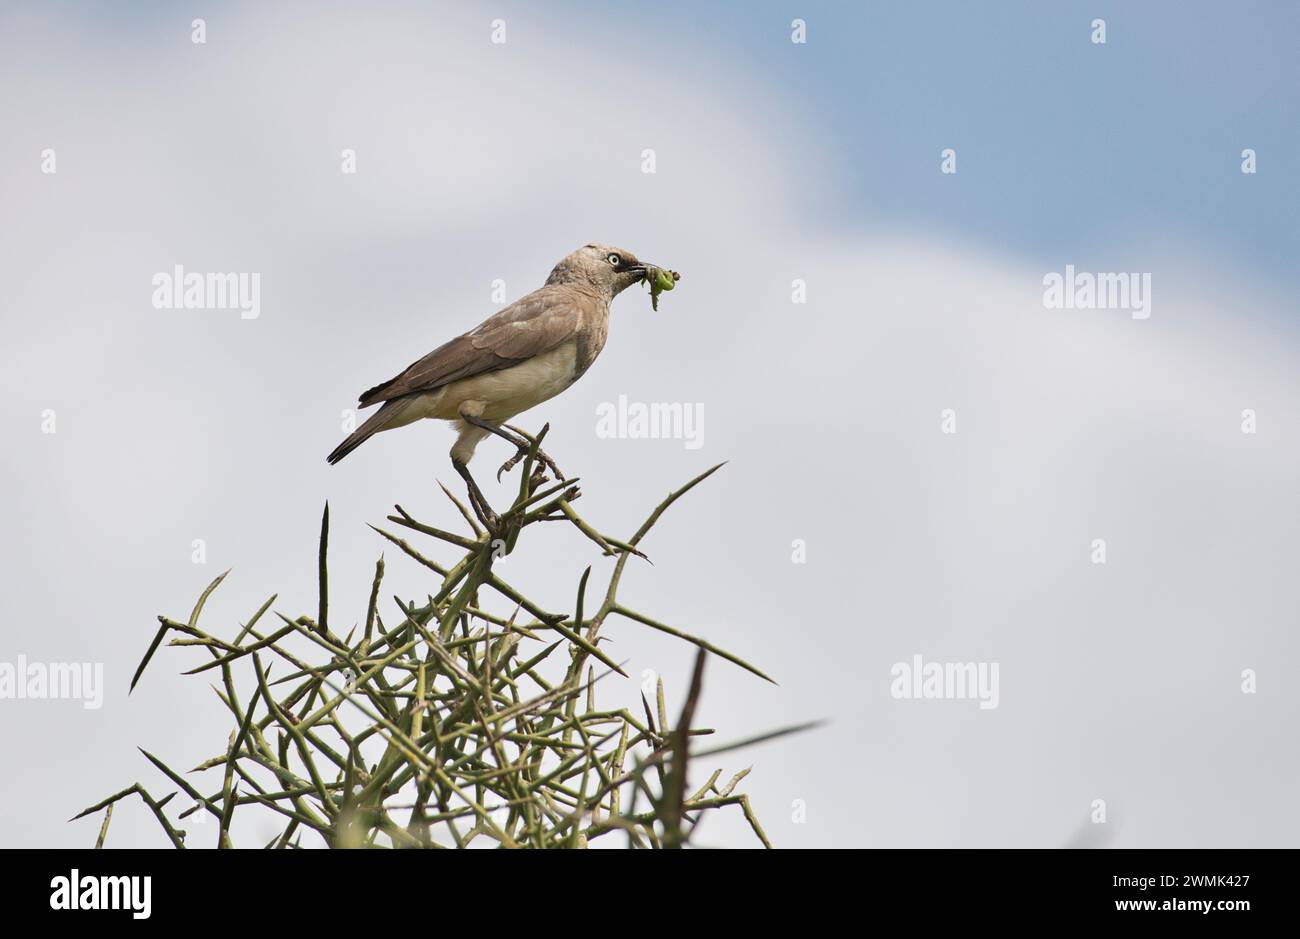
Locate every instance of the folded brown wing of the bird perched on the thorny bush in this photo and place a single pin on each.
(531, 326)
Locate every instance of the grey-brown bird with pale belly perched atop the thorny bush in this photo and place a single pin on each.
(522, 356)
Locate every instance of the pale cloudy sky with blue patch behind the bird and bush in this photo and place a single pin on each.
(921, 456)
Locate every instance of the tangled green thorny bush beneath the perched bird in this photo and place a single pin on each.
(444, 729)
